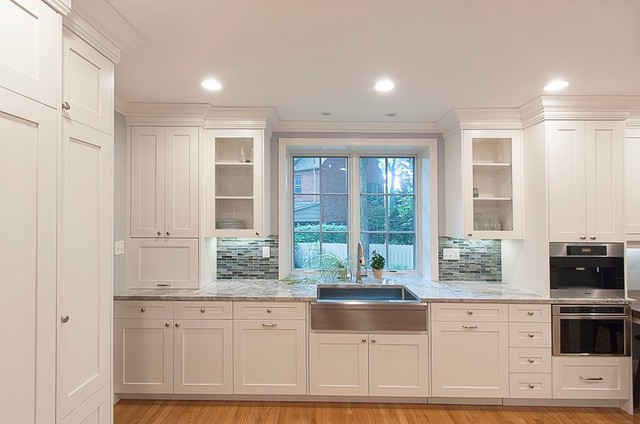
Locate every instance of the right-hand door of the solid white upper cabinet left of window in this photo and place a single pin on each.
(181, 182)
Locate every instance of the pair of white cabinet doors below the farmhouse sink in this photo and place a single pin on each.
(368, 364)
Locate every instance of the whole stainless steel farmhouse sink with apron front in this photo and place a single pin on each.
(368, 308)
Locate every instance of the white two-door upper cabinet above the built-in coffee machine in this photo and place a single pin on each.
(585, 168)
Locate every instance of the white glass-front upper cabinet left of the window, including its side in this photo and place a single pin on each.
(238, 176)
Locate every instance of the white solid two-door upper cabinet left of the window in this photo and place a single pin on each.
(164, 182)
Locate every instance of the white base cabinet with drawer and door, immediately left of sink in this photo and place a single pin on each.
(270, 355)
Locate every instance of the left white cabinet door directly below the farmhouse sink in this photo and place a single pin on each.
(338, 364)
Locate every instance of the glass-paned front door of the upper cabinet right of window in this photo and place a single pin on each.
(492, 183)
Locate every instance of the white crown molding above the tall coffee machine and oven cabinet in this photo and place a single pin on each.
(610, 108)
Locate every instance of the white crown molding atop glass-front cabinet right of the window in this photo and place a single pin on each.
(479, 119)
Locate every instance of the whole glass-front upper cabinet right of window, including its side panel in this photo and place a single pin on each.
(484, 184)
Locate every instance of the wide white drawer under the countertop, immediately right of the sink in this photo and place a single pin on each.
(476, 312)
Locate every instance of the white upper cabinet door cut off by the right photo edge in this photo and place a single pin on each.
(631, 184)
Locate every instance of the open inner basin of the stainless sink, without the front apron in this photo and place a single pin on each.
(365, 294)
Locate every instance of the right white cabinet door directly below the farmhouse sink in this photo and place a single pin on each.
(398, 365)
